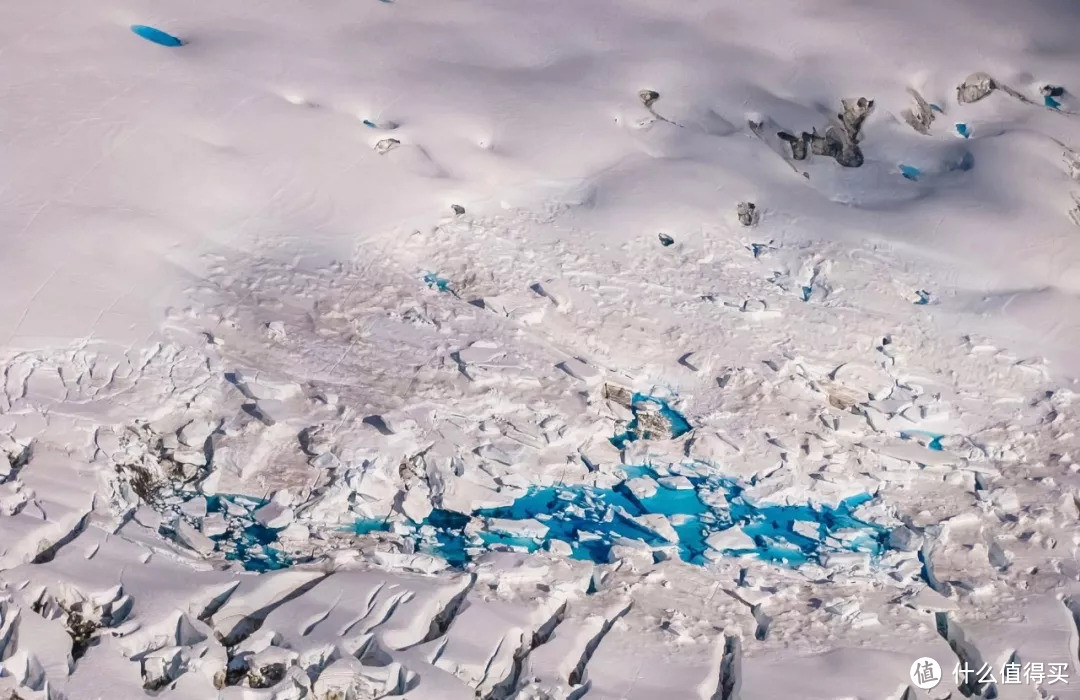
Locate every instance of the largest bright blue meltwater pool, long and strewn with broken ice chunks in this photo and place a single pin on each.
(592, 520)
